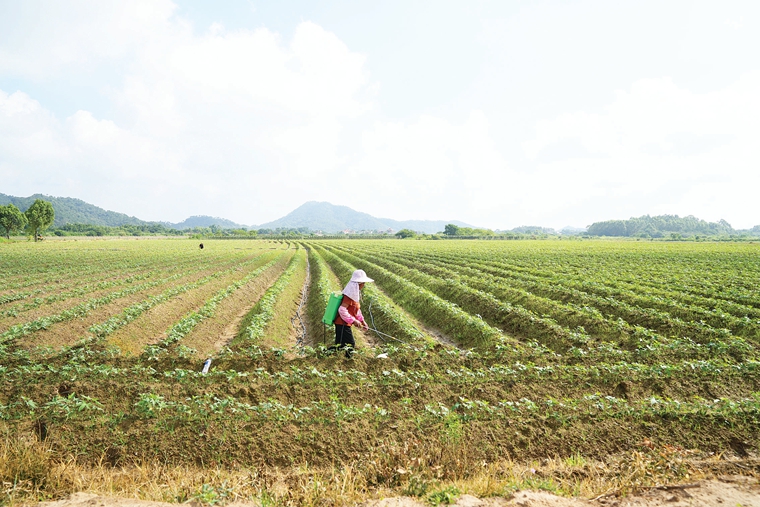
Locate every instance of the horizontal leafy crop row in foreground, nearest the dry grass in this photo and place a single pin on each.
(565, 412)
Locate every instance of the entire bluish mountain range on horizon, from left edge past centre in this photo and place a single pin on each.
(317, 216)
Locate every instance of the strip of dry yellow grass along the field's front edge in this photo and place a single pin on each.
(30, 471)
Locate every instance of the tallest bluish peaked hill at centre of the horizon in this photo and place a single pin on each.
(329, 218)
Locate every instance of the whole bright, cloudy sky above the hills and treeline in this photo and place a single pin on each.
(495, 113)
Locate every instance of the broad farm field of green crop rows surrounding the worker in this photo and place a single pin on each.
(581, 367)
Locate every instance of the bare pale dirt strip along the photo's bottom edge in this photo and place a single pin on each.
(727, 491)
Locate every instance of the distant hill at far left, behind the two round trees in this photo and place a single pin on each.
(74, 211)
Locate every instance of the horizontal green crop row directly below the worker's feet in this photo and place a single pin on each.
(391, 375)
